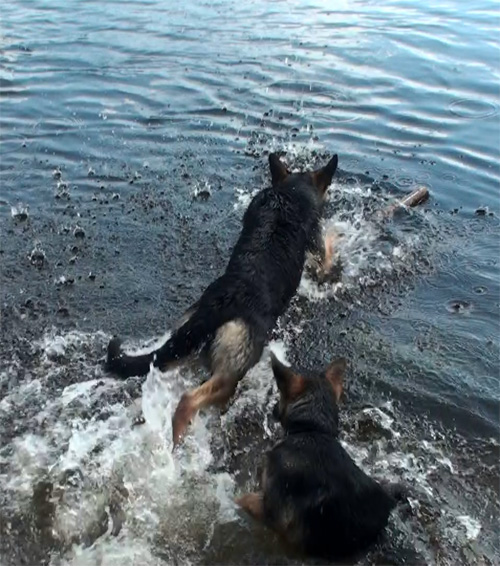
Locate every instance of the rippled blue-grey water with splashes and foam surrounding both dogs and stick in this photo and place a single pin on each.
(133, 135)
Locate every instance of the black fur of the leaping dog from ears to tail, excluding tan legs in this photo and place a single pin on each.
(263, 273)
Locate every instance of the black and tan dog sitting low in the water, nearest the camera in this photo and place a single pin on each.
(313, 494)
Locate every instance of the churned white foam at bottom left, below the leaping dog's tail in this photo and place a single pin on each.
(90, 452)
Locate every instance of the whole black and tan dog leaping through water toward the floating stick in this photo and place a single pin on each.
(228, 327)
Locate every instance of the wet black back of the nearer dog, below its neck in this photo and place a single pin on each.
(320, 500)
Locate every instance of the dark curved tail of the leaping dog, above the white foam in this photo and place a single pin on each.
(186, 340)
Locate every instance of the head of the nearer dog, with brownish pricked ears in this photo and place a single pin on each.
(309, 403)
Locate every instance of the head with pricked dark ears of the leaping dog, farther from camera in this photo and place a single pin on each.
(319, 179)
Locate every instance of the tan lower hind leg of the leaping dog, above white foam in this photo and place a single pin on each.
(216, 391)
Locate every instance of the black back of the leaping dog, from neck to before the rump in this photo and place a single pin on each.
(266, 264)
